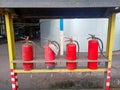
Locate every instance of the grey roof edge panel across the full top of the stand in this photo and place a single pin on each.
(58, 3)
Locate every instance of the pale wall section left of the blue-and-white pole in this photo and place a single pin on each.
(49, 29)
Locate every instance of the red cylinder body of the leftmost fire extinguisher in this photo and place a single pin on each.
(27, 55)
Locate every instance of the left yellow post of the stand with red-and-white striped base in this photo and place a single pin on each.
(11, 48)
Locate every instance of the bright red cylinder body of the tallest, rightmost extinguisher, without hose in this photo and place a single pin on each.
(92, 53)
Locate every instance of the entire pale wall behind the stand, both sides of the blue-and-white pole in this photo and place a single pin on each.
(79, 30)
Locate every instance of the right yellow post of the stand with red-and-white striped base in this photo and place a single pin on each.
(109, 49)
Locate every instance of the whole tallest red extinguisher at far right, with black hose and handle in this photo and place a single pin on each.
(93, 46)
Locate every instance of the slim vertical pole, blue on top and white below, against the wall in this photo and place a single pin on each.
(61, 37)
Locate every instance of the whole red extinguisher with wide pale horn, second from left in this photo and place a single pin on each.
(51, 49)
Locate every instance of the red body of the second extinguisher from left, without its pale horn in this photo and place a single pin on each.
(49, 55)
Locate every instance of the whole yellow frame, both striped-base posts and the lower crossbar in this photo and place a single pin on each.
(12, 53)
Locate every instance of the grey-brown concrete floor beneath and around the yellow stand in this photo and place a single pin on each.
(40, 81)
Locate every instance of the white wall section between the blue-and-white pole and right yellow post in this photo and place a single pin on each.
(80, 28)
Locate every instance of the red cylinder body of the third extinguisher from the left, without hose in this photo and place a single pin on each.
(71, 55)
